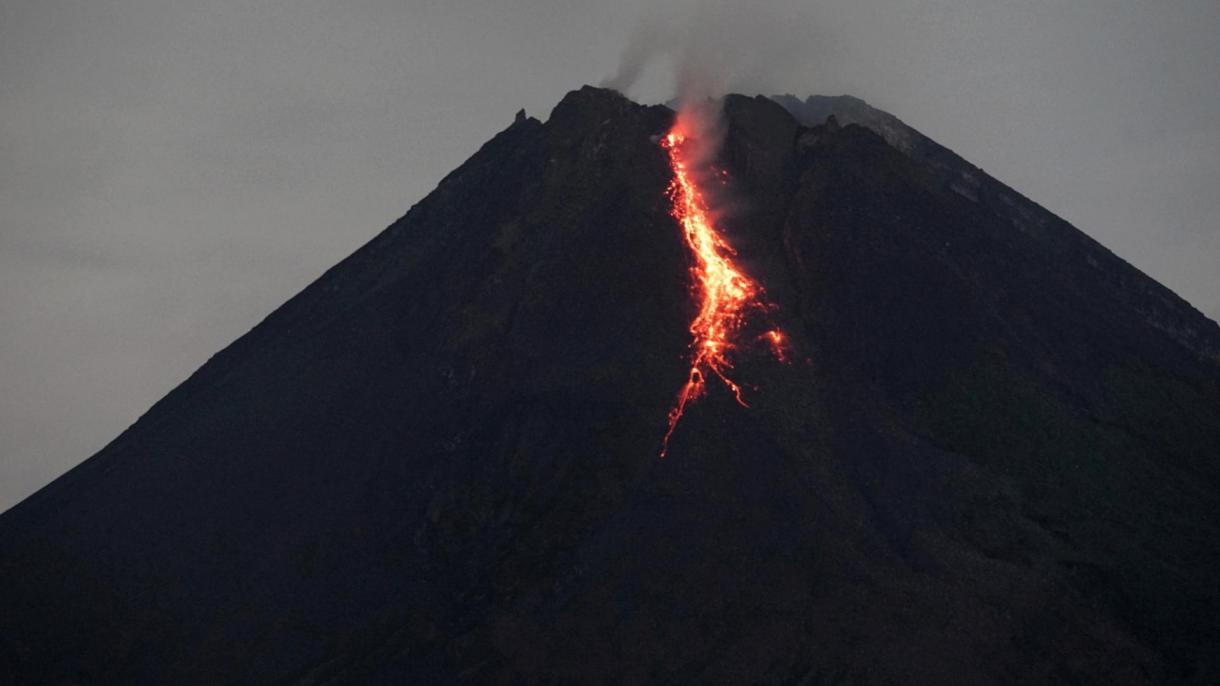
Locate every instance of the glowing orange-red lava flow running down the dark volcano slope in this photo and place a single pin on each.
(727, 294)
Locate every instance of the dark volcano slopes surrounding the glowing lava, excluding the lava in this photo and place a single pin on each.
(992, 458)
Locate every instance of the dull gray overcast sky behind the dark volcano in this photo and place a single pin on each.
(173, 170)
